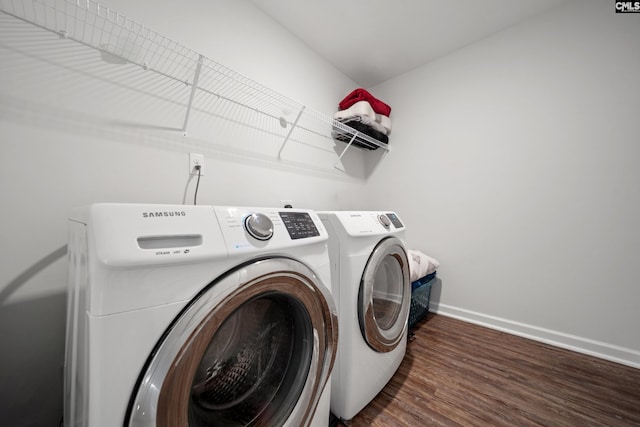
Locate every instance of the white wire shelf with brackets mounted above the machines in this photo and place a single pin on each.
(121, 40)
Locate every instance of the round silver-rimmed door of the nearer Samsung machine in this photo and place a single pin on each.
(254, 348)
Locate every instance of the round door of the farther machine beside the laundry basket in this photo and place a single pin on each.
(384, 298)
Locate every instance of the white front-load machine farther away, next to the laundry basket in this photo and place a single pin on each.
(371, 287)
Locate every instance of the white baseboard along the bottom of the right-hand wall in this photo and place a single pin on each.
(625, 356)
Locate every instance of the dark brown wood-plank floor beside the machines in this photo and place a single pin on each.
(457, 373)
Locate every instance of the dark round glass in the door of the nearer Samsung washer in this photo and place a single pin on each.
(255, 366)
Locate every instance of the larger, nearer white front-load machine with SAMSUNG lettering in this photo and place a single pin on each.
(198, 315)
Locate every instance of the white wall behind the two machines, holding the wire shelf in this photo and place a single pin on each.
(75, 130)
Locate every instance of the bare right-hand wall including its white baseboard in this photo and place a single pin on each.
(515, 164)
